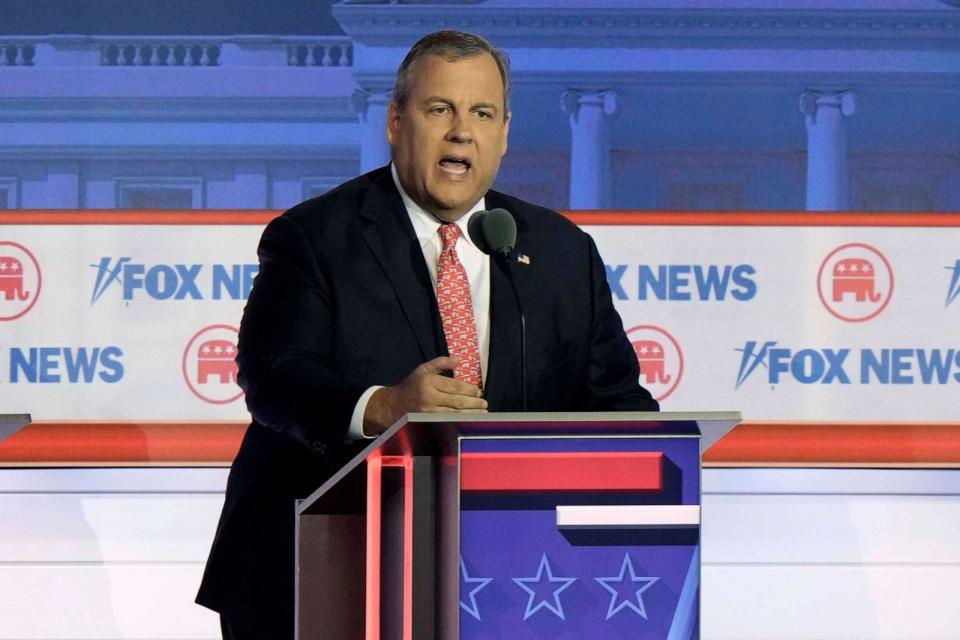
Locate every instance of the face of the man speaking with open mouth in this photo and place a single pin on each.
(448, 139)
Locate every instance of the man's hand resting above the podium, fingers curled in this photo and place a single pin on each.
(424, 390)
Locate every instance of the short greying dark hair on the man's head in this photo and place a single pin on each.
(452, 46)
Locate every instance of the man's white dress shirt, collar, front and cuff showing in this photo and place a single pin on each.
(477, 265)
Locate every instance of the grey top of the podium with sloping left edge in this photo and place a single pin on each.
(439, 433)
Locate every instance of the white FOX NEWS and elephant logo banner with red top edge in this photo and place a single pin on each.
(134, 315)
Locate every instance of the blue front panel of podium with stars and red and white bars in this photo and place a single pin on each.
(574, 560)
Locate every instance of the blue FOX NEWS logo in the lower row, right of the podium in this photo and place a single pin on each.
(846, 366)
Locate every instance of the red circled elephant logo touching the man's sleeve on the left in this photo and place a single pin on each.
(210, 366)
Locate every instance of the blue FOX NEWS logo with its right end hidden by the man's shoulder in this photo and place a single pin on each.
(172, 281)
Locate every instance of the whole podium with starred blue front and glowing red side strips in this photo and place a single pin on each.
(510, 525)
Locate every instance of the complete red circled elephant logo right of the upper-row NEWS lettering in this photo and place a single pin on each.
(855, 282)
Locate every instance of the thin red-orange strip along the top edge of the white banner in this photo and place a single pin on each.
(585, 218)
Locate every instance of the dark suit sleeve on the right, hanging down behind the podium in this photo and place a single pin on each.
(613, 372)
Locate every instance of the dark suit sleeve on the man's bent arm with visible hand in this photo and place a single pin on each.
(286, 345)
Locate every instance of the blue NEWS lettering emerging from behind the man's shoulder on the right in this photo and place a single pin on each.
(683, 282)
